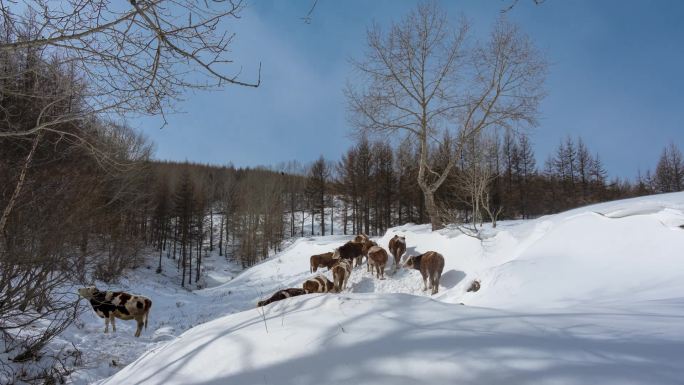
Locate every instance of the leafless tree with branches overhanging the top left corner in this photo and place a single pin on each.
(124, 58)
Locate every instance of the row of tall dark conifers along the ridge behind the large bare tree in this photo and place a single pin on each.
(373, 186)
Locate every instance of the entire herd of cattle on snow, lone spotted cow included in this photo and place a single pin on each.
(110, 305)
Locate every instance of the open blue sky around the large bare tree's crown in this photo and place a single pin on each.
(616, 78)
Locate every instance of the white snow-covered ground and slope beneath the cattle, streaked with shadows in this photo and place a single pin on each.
(592, 295)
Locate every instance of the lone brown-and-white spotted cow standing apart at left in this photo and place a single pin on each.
(115, 304)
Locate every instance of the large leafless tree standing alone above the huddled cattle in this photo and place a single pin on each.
(420, 79)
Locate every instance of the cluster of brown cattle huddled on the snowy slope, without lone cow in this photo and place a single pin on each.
(344, 258)
